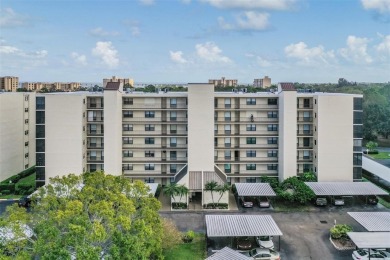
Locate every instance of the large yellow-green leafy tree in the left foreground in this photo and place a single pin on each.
(92, 216)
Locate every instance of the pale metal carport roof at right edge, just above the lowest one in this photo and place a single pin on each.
(373, 221)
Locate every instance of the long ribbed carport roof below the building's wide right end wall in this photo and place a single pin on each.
(345, 188)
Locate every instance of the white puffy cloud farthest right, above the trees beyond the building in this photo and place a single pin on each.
(356, 50)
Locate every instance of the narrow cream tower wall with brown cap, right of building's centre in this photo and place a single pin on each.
(287, 134)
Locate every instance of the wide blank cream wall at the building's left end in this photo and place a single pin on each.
(65, 143)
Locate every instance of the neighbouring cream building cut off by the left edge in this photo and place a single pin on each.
(17, 133)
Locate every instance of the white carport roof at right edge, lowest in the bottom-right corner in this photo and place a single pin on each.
(368, 240)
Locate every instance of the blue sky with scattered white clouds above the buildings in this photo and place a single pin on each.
(184, 41)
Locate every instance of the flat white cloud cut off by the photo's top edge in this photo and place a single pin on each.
(252, 4)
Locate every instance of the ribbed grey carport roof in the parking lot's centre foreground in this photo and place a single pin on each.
(241, 226)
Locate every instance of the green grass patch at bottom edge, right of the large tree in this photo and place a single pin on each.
(196, 250)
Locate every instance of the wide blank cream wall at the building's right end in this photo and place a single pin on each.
(334, 137)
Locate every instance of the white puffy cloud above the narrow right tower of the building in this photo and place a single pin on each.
(308, 56)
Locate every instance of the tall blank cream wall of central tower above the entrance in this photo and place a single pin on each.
(200, 127)
